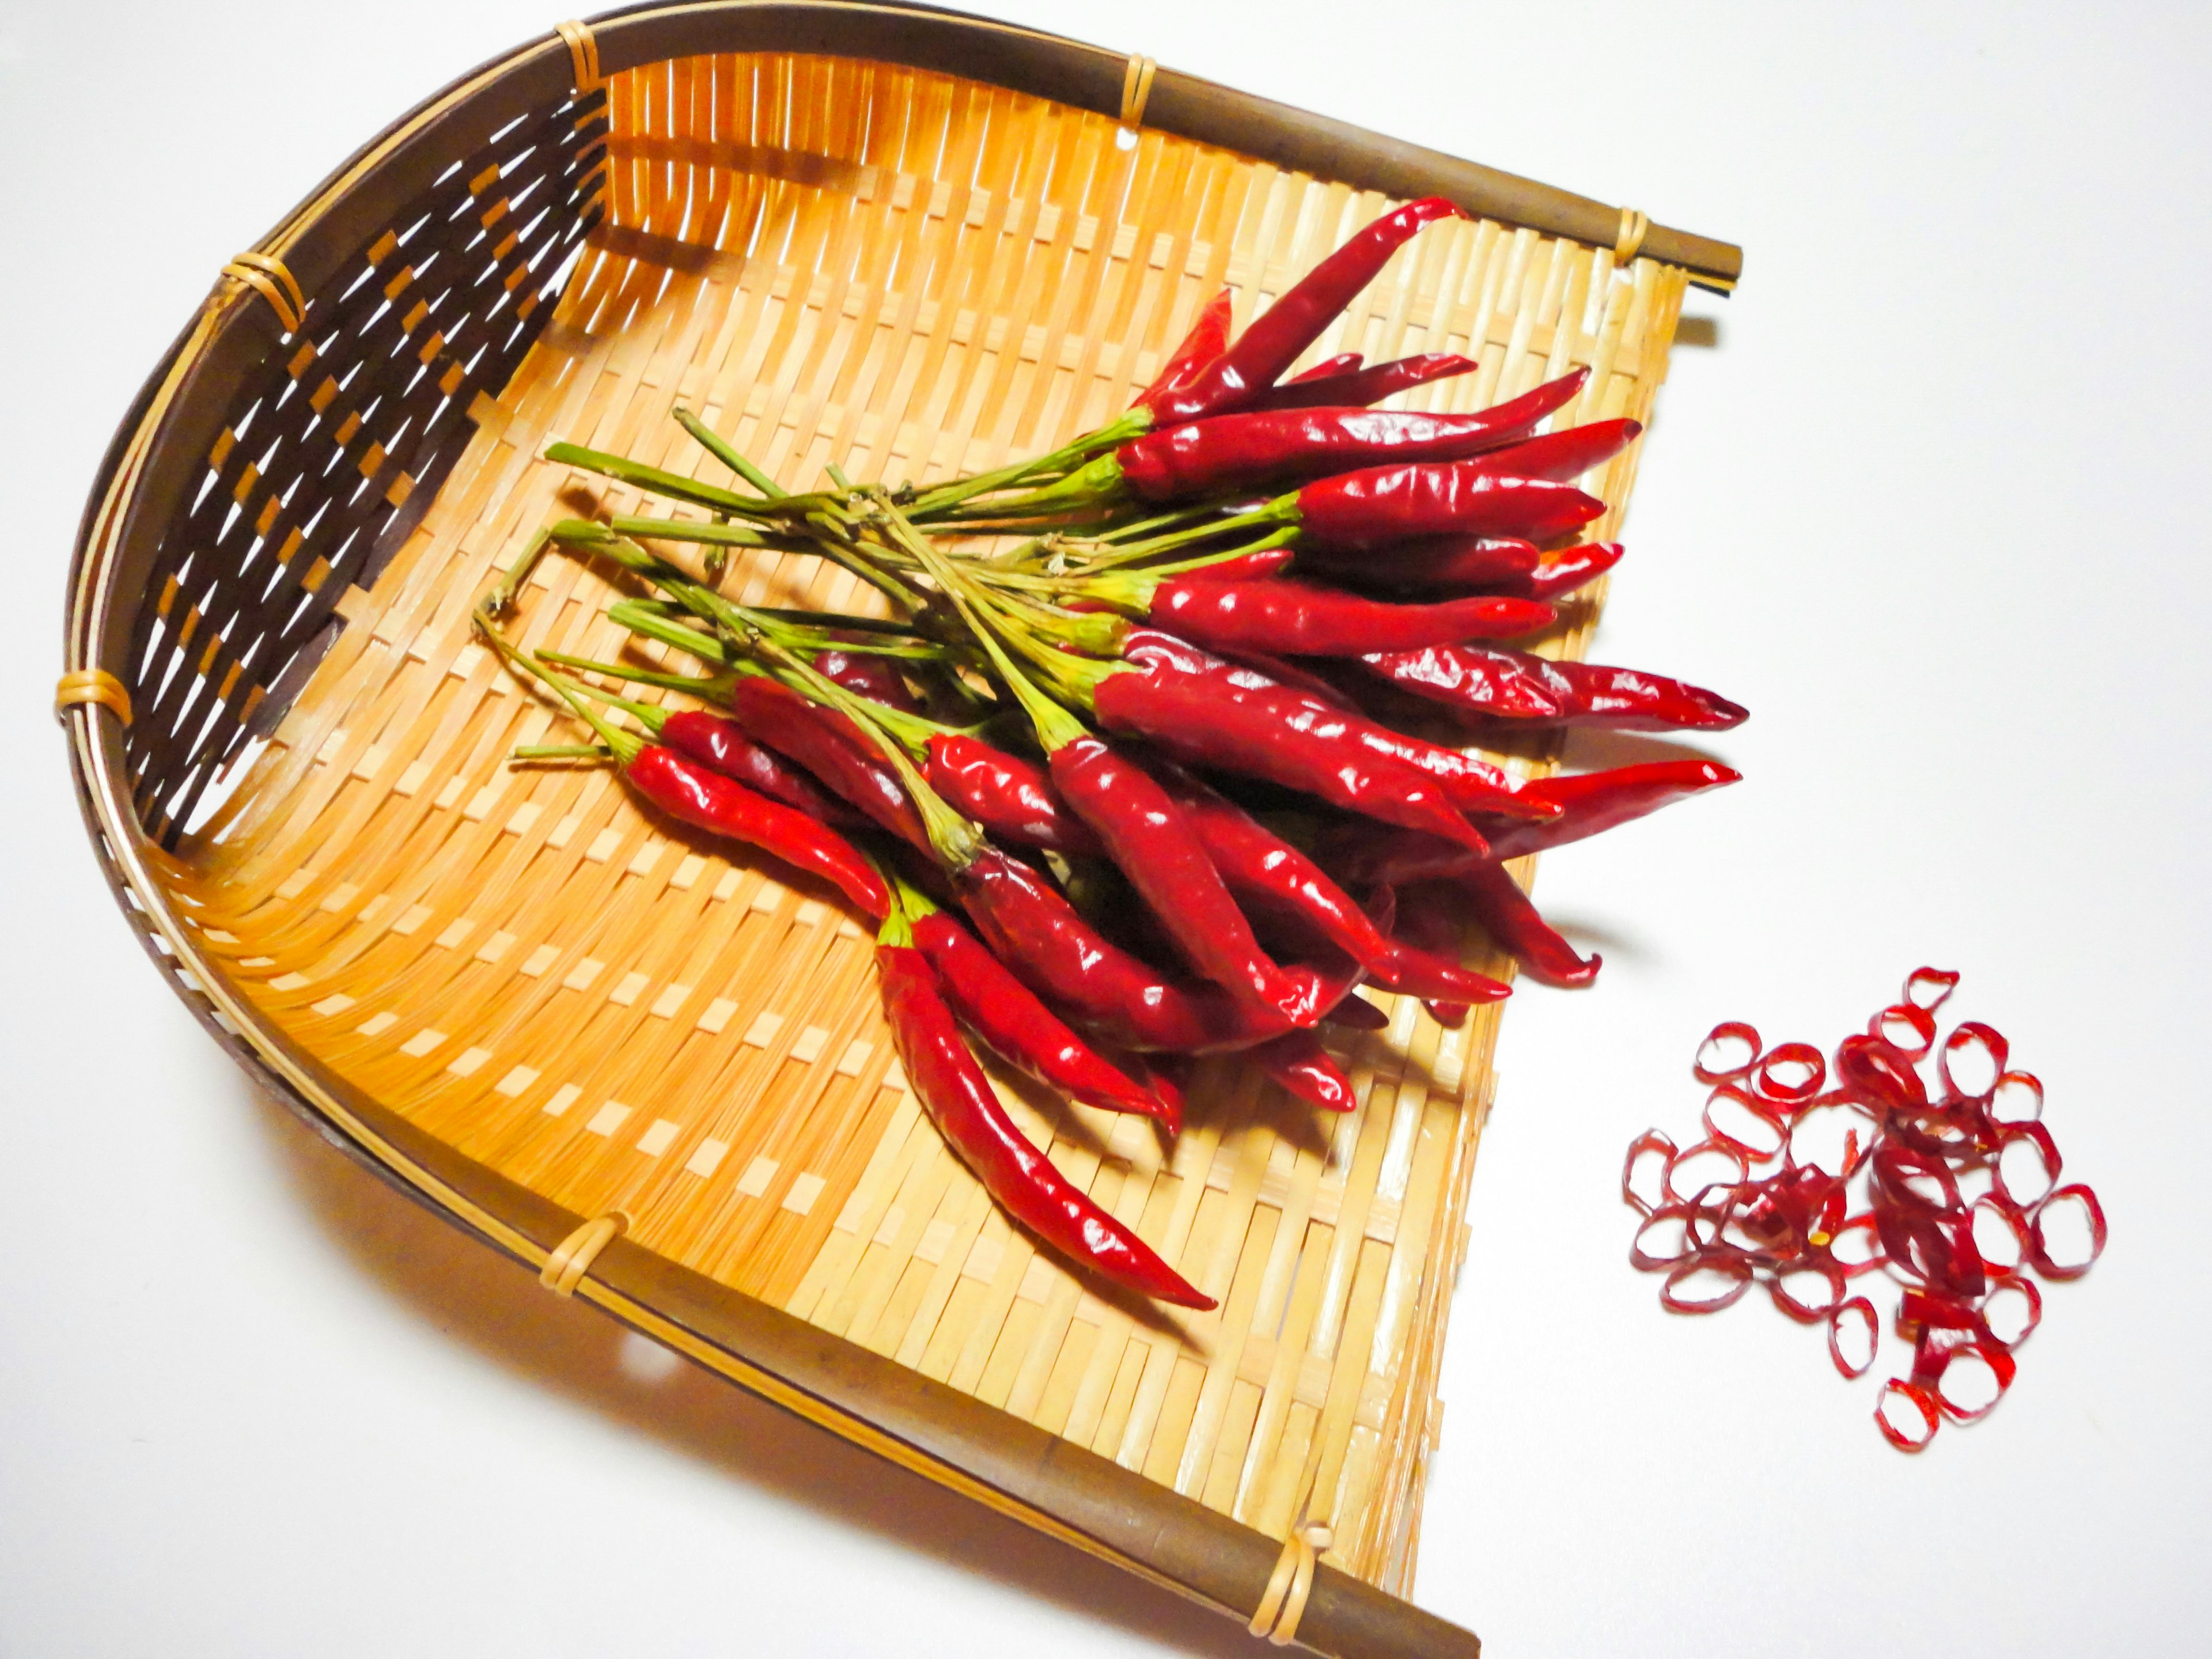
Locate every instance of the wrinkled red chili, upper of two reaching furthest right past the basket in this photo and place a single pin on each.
(1516, 685)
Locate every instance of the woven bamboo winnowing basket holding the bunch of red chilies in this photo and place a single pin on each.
(906, 242)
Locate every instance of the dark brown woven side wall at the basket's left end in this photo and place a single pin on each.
(340, 444)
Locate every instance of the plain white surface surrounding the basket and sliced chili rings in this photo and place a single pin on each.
(1928, 497)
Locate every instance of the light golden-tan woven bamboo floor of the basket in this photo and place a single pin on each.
(901, 273)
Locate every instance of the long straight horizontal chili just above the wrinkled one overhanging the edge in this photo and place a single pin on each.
(1302, 620)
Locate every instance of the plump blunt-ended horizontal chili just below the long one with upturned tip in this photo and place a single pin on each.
(1437, 499)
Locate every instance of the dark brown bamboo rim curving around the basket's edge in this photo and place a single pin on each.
(937, 1430)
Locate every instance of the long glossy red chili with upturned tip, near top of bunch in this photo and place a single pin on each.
(1240, 452)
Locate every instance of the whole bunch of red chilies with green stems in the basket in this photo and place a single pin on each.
(1140, 713)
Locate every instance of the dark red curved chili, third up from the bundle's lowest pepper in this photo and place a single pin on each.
(1107, 990)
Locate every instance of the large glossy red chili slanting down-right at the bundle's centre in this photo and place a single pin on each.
(1271, 733)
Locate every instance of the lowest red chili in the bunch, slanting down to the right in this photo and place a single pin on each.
(959, 1098)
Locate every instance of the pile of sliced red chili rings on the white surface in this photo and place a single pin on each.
(1755, 1202)
